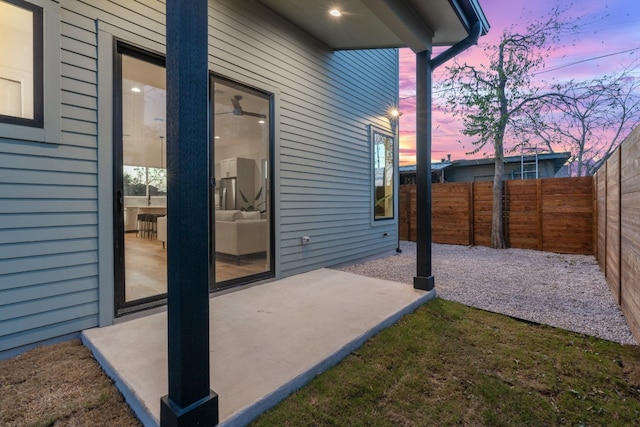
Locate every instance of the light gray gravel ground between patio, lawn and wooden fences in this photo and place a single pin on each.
(565, 291)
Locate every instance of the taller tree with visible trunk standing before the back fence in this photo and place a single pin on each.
(491, 98)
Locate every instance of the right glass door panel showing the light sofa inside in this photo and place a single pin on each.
(242, 199)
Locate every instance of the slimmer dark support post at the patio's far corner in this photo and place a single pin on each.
(424, 278)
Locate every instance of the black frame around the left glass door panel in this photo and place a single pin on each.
(121, 305)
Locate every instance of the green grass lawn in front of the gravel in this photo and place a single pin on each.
(448, 364)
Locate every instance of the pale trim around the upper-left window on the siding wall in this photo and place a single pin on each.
(50, 132)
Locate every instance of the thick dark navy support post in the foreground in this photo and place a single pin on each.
(190, 401)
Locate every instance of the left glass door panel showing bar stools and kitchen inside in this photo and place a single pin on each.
(140, 178)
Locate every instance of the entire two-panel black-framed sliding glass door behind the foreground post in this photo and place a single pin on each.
(241, 202)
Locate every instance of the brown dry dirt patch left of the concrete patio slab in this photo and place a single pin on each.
(60, 384)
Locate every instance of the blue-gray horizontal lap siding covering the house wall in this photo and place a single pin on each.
(48, 193)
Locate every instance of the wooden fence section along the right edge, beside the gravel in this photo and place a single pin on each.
(618, 219)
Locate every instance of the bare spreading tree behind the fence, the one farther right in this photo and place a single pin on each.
(590, 121)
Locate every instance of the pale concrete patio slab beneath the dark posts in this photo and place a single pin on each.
(266, 341)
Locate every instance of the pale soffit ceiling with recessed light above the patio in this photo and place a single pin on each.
(364, 24)
